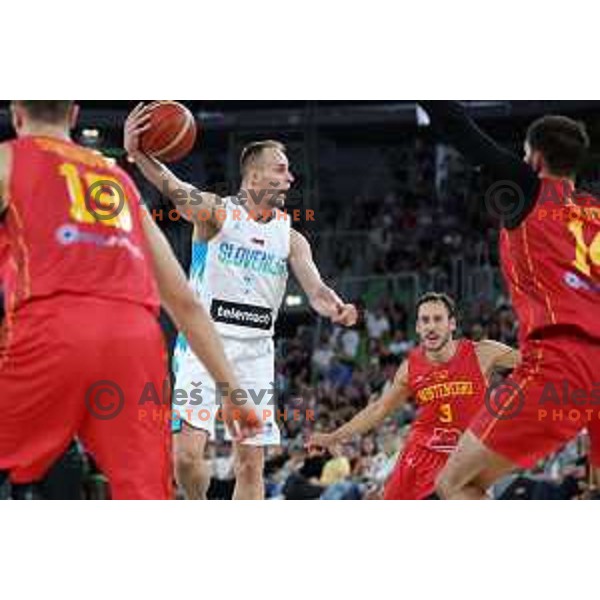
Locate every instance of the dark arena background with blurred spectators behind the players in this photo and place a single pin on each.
(395, 214)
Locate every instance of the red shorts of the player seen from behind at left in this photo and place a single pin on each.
(77, 367)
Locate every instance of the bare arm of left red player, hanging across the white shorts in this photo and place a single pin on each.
(191, 318)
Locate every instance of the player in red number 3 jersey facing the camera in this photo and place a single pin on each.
(447, 378)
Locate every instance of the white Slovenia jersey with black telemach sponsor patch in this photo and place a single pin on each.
(241, 274)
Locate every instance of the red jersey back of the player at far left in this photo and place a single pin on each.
(74, 227)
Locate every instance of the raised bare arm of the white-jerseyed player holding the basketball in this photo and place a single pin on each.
(191, 203)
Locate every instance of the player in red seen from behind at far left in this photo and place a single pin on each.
(82, 290)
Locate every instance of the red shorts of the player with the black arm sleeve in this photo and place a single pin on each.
(549, 398)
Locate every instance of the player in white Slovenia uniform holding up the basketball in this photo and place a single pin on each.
(242, 246)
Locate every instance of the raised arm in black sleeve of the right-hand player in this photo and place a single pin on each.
(452, 123)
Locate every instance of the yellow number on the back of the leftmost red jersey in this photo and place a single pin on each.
(111, 198)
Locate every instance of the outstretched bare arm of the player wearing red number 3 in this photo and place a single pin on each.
(370, 417)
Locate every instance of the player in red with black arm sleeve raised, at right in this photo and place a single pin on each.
(549, 253)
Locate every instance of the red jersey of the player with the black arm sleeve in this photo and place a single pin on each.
(551, 262)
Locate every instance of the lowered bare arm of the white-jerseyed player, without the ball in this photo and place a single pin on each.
(321, 297)
